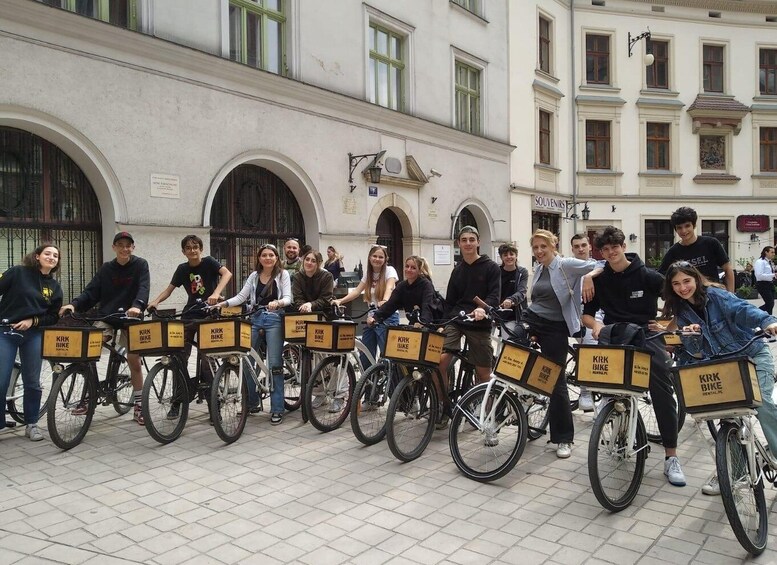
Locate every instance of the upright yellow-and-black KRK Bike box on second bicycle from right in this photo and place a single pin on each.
(613, 367)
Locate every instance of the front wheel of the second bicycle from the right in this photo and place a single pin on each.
(616, 466)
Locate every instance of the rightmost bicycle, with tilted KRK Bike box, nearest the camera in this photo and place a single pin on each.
(725, 387)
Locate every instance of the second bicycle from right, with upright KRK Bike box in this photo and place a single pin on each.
(618, 446)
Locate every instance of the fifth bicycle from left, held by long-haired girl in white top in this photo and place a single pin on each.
(330, 388)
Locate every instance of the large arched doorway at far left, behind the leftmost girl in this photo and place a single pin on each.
(45, 196)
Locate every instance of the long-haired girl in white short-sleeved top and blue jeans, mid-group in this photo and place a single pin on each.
(378, 283)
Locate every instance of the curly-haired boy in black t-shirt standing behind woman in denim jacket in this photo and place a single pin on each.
(703, 252)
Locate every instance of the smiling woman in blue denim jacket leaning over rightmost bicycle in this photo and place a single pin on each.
(726, 323)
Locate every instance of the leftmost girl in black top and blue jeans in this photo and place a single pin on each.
(31, 298)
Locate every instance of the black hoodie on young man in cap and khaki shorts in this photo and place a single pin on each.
(482, 278)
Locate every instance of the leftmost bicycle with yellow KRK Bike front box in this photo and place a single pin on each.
(76, 389)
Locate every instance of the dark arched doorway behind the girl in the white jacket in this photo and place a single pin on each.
(252, 207)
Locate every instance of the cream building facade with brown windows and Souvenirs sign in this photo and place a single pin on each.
(618, 141)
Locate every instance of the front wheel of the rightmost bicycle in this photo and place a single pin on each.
(743, 500)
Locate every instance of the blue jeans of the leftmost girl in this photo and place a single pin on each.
(29, 348)
